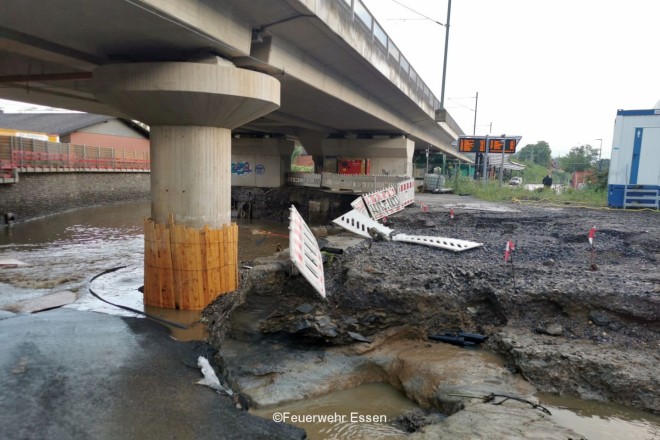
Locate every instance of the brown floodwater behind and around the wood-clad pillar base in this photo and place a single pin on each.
(64, 251)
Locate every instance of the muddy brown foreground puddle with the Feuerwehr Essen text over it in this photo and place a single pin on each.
(365, 412)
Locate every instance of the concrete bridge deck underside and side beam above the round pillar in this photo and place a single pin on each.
(50, 49)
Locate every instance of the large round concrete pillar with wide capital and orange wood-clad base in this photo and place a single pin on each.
(191, 247)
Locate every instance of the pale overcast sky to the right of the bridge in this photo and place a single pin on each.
(546, 70)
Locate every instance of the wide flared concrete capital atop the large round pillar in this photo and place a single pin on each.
(215, 94)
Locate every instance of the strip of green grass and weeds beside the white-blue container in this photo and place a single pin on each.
(493, 191)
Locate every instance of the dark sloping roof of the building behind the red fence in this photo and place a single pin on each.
(56, 123)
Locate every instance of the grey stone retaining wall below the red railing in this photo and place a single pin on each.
(40, 194)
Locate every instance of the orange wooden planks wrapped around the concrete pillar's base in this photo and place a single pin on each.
(187, 268)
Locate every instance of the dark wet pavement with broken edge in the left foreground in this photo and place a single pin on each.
(69, 374)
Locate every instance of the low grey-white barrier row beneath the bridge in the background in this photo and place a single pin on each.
(358, 183)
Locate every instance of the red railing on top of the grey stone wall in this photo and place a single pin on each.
(29, 155)
